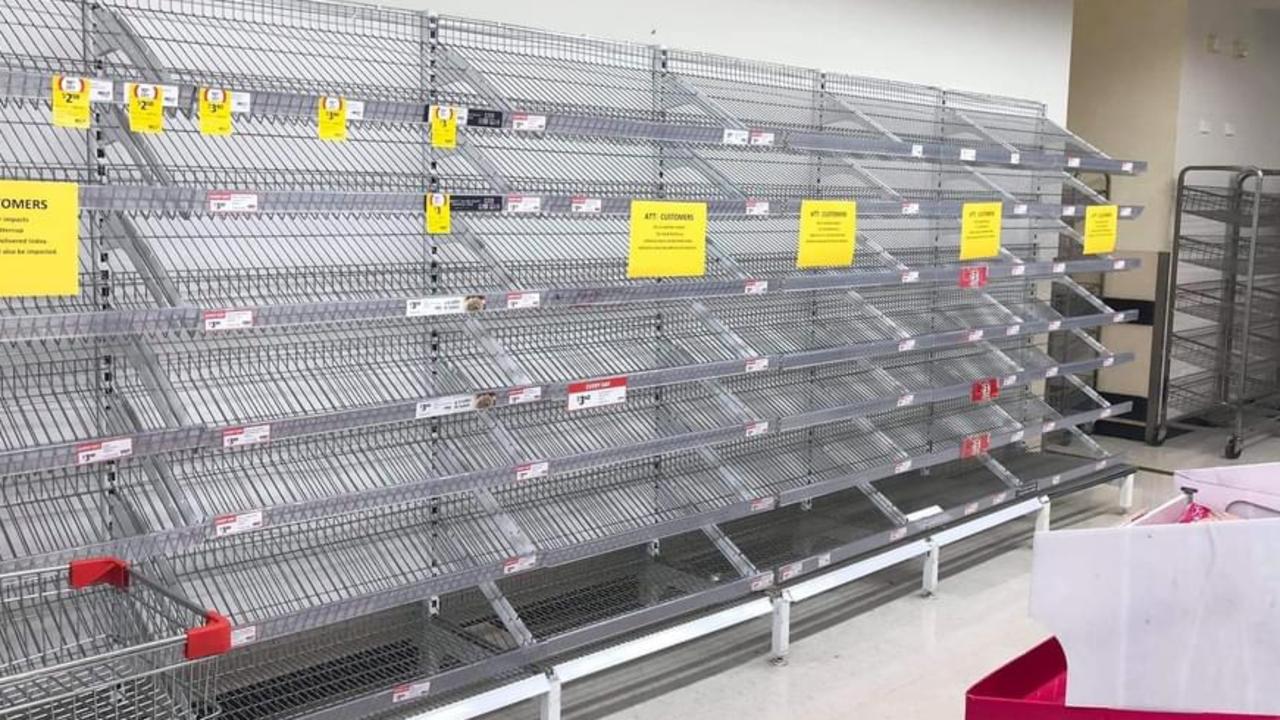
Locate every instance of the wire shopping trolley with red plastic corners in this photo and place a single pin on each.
(98, 640)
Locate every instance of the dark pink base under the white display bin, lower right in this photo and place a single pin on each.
(1034, 687)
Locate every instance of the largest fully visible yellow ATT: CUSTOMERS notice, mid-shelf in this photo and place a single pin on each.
(669, 240)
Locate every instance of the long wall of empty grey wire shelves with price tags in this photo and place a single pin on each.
(360, 443)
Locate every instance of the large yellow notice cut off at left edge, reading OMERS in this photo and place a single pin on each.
(39, 239)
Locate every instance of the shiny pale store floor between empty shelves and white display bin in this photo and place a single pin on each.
(876, 650)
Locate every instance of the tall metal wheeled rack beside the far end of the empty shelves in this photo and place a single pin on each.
(1219, 316)
